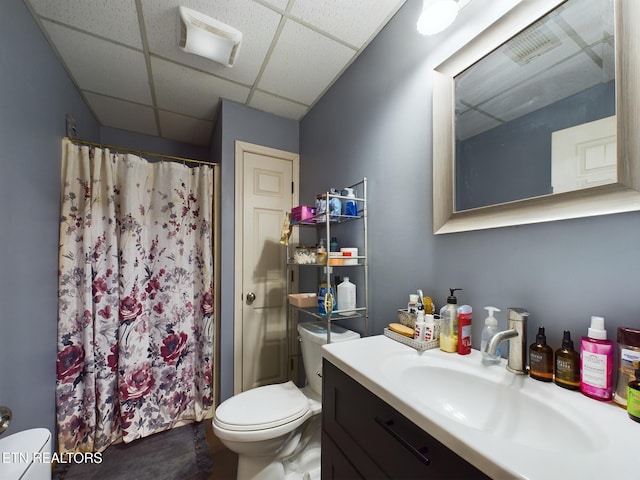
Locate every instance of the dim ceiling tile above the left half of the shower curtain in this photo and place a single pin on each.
(112, 112)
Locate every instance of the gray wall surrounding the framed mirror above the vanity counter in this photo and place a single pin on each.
(376, 122)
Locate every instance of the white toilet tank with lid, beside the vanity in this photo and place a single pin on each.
(312, 336)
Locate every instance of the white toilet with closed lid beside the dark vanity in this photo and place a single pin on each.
(275, 429)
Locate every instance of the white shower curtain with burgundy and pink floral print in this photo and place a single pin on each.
(135, 315)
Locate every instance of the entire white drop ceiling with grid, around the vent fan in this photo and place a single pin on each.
(123, 56)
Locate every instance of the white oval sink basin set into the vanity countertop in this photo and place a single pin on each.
(493, 401)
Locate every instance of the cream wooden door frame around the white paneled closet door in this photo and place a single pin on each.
(240, 149)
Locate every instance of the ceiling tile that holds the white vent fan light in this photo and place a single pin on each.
(257, 23)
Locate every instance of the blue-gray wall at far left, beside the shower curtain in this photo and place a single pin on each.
(35, 95)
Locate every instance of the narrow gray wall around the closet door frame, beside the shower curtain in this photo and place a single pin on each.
(238, 122)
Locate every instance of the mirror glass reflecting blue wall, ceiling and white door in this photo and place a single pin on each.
(537, 115)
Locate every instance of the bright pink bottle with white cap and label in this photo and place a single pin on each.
(596, 362)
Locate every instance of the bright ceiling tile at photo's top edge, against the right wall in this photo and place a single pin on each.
(354, 21)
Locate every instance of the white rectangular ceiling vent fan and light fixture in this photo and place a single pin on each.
(208, 38)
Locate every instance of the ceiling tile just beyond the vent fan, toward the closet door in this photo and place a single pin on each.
(192, 92)
